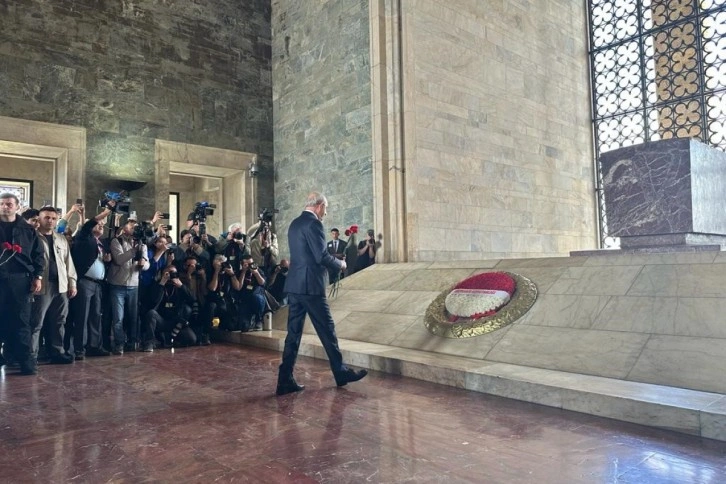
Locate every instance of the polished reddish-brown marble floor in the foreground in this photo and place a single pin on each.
(210, 415)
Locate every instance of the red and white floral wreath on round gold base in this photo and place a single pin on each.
(480, 304)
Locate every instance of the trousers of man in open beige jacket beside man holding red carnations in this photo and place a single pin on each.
(50, 311)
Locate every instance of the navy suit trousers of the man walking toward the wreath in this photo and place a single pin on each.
(317, 307)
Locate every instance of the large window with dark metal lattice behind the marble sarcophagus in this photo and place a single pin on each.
(658, 71)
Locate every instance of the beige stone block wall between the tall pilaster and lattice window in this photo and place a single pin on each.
(497, 125)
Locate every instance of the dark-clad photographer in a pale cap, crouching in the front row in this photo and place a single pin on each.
(220, 301)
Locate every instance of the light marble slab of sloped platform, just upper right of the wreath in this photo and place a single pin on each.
(598, 281)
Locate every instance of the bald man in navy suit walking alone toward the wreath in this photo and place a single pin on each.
(305, 287)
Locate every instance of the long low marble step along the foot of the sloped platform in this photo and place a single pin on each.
(677, 409)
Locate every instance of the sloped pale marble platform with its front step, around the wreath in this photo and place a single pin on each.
(635, 337)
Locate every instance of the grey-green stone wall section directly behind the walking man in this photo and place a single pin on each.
(322, 121)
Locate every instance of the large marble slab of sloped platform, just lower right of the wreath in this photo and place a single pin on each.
(602, 353)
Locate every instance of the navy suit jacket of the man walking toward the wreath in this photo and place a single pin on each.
(309, 257)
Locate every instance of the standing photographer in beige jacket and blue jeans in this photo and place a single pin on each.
(128, 258)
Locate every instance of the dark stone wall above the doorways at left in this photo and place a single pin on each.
(132, 72)
